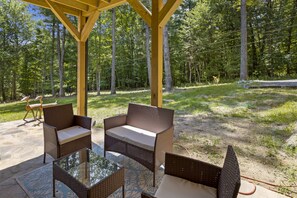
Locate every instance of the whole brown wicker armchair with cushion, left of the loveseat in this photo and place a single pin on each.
(64, 132)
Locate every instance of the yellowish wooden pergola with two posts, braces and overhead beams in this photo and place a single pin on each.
(88, 11)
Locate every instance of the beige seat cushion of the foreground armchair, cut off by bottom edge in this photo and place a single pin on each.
(180, 188)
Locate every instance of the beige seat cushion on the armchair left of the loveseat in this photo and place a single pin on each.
(72, 133)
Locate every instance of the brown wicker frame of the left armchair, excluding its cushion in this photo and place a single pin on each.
(60, 117)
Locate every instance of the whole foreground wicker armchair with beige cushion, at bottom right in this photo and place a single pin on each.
(186, 177)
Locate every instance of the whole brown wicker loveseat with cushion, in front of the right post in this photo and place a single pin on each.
(144, 134)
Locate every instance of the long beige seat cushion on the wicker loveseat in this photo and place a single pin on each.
(135, 136)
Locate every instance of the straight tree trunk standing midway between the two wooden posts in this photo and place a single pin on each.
(113, 77)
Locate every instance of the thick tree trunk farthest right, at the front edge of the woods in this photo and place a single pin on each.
(243, 61)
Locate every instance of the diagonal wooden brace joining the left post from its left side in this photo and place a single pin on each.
(64, 20)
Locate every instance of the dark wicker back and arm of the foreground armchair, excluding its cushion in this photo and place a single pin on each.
(226, 180)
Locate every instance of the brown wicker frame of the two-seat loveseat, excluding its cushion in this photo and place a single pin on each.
(158, 120)
